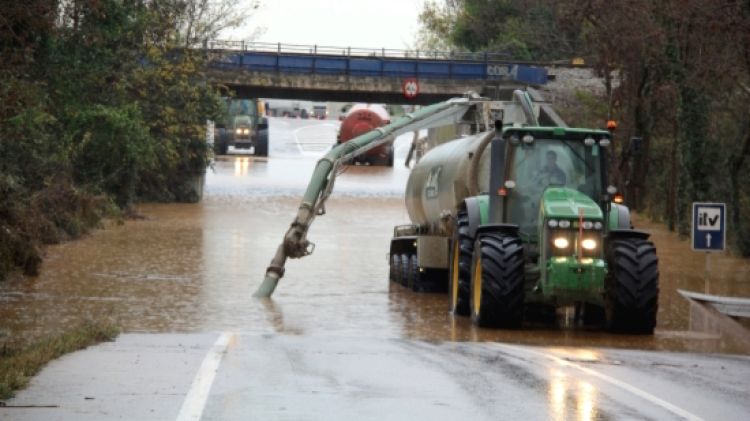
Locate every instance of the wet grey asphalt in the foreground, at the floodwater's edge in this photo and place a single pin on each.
(236, 376)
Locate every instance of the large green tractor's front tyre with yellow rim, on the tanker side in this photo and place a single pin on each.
(497, 284)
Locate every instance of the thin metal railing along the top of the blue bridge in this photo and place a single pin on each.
(282, 48)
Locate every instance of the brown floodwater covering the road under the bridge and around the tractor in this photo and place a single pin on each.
(194, 267)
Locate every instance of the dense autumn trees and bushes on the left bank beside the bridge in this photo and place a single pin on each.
(101, 102)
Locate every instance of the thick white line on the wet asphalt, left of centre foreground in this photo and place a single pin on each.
(197, 396)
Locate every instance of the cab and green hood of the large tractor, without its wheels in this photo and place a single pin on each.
(553, 190)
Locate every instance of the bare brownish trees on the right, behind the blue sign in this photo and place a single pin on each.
(684, 73)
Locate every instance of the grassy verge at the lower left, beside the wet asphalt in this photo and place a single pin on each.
(18, 366)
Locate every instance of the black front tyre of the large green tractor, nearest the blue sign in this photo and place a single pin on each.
(632, 286)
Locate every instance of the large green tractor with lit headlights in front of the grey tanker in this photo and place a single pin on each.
(547, 234)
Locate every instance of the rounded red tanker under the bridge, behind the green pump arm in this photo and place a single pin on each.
(360, 119)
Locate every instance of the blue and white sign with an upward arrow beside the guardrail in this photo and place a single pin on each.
(709, 226)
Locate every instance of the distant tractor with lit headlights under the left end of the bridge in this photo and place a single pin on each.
(245, 127)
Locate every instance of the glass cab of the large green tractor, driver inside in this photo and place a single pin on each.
(552, 173)
